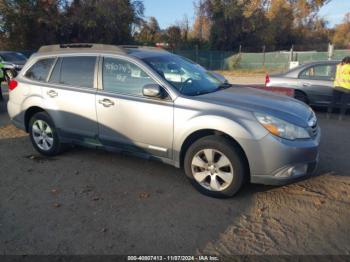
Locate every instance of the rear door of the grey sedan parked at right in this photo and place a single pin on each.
(317, 82)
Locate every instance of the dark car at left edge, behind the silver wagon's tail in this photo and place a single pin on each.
(13, 63)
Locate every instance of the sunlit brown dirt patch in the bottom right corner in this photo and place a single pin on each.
(311, 217)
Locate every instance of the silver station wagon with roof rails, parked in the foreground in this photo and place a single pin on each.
(154, 104)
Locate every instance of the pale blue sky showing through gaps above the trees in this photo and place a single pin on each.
(168, 12)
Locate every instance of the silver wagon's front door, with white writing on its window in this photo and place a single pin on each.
(127, 119)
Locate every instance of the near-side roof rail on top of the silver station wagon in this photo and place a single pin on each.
(81, 46)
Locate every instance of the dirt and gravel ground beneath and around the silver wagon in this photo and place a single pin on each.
(95, 202)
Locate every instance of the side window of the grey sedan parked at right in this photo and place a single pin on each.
(319, 72)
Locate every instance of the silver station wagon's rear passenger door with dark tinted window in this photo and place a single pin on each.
(70, 96)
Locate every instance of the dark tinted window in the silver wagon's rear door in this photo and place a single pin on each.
(75, 71)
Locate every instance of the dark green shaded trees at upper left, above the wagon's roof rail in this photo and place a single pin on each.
(28, 24)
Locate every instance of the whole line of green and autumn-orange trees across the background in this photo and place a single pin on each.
(218, 25)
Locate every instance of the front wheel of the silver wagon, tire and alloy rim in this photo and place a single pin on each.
(222, 177)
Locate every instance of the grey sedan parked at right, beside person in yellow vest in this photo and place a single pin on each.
(312, 82)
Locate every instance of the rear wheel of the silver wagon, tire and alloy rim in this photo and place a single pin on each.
(43, 135)
